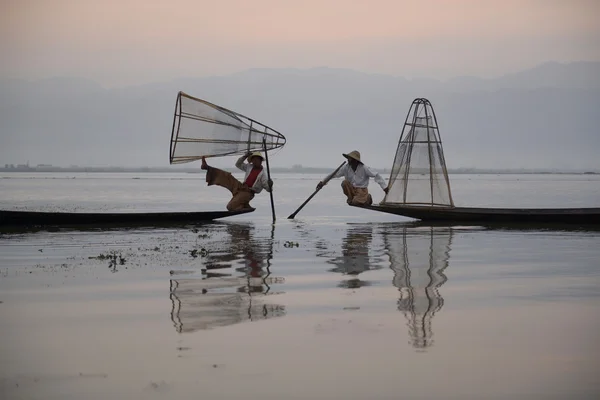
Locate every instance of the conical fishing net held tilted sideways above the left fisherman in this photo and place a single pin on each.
(202, 129)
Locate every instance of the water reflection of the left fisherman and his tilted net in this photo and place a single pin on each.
(226, 294)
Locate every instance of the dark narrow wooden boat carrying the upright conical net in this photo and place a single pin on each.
(578, 216)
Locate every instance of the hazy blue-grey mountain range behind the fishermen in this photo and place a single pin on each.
(543, 118)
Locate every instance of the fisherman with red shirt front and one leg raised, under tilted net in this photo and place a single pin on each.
(254, 182)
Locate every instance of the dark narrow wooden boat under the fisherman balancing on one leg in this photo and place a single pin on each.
(38, 218)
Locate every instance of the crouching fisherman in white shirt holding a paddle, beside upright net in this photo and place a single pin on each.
(356, 182)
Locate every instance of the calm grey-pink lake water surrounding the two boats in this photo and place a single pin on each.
(338, 303)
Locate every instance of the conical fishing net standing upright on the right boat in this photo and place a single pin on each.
(419, 175)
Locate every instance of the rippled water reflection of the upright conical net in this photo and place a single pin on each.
(418, 259)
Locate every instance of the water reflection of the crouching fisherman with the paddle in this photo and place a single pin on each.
(355, 259)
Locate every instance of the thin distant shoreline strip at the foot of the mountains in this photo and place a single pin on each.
(303, 170)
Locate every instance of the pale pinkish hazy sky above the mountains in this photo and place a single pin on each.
(117, 42)
